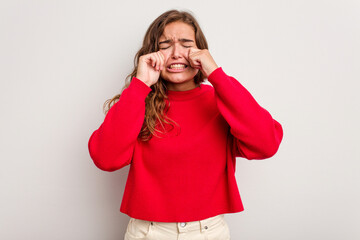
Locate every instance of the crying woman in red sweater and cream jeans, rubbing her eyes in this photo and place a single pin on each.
(181, 137)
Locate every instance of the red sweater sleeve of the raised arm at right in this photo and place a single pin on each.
(257, 135)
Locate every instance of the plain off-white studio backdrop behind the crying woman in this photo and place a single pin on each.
(60, 61)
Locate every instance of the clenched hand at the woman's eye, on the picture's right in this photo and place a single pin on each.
(202, 59)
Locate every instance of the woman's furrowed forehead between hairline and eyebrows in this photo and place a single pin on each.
(176, 30)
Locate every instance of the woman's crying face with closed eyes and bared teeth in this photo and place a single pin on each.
(174, 44)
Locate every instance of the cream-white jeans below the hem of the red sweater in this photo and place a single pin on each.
(213, 228)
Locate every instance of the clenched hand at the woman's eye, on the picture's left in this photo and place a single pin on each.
(149, 67)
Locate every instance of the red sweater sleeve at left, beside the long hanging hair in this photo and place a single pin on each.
(111, 146)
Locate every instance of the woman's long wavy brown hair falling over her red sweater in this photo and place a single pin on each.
(155, 104)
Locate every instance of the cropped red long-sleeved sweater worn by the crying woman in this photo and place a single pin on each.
(189, 174)
